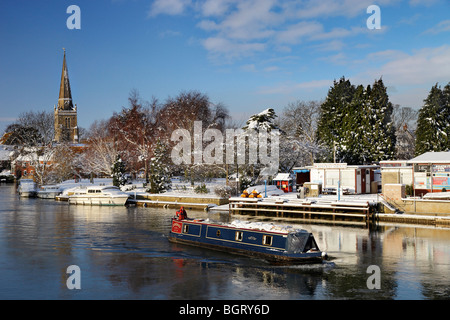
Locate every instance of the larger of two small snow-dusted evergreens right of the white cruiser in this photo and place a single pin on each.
(160, 175)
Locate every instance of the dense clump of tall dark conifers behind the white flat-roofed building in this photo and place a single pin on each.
(356, 124)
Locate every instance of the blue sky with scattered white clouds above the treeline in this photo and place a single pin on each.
(247, 54)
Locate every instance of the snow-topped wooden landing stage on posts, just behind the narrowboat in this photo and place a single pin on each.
(303, 209)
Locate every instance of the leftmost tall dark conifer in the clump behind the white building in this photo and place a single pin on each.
(334, 111)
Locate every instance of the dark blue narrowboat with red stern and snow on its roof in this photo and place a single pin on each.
(289, 246)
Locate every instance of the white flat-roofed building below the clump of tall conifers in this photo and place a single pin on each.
(353, 179)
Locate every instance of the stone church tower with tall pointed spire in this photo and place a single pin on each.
(66, 128)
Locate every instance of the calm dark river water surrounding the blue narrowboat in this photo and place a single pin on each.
(123, 253)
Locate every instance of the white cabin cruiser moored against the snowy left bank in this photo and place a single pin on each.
(99, 195)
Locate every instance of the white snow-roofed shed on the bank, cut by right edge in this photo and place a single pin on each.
(431, 172)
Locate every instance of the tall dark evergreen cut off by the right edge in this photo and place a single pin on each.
(434, 121)
